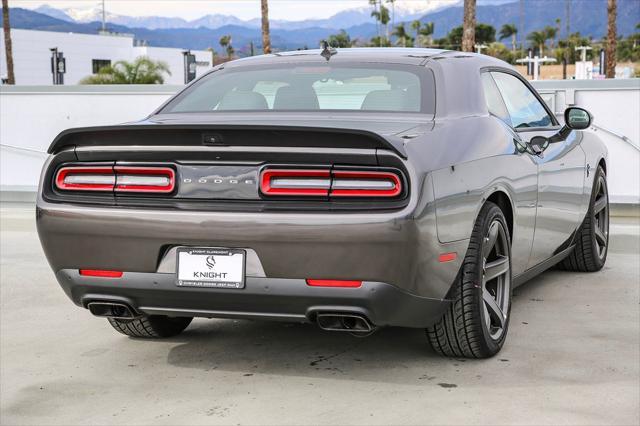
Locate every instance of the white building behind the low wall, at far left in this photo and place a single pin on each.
(85, 54)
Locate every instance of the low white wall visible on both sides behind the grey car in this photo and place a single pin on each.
(30, 117)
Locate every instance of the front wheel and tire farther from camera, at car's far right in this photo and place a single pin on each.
(592, 239)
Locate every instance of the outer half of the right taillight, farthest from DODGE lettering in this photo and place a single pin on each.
(347, 183)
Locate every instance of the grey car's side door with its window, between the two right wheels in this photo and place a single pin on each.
(561, 167)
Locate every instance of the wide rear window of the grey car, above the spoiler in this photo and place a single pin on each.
(390, 88)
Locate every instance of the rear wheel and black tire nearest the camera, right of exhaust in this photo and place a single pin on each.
(472, 327)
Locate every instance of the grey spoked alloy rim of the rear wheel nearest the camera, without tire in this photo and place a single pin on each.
(496, 279)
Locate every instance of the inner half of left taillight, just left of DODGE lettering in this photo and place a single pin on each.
(159, 180)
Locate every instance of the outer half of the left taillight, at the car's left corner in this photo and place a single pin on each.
(90, 178)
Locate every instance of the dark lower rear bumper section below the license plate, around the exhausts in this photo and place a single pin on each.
(262, 298)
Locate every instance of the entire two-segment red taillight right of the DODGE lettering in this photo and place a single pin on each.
(331, 183)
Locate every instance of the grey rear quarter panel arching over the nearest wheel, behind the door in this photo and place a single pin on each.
(470, 159)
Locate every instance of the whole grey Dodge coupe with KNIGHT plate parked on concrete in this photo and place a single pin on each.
(356, 189)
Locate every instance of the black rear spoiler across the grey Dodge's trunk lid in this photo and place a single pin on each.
(225, 135)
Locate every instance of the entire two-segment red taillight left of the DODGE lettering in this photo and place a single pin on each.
(159, 180)
